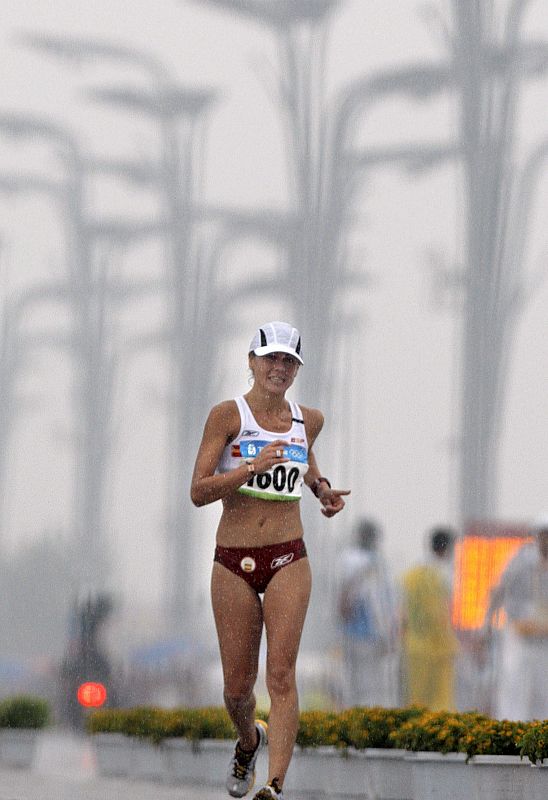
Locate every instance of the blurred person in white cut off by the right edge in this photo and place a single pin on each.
(522, 655)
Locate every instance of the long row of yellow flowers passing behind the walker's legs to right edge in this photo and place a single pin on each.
(409, 728)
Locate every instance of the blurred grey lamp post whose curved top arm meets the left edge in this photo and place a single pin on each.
(85, 293)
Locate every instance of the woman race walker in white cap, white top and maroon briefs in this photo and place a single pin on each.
(255, 454)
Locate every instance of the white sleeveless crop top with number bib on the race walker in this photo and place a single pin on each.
(281, 482)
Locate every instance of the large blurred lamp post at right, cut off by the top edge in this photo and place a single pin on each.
(486, 79)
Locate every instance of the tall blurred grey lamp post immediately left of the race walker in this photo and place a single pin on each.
(179, 113)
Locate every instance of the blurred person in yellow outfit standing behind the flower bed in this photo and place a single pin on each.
(430, 644)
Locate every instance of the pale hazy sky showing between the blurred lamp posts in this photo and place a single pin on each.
(402, 376)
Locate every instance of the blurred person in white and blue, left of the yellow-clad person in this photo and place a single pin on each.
(368, 616)
